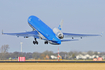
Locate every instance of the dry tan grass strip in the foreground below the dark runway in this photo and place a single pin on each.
(52, 66)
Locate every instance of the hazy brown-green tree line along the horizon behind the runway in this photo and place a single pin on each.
(5, 55)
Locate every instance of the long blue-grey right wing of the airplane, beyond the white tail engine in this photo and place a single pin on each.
(72, 35)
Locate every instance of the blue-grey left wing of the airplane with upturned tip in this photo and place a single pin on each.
(24, 34)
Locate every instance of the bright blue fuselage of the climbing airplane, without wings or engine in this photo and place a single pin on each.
(43, 29)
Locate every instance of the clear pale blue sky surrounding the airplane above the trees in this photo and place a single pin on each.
(80, 16)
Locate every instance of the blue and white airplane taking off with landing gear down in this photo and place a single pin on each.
(44, 32)
